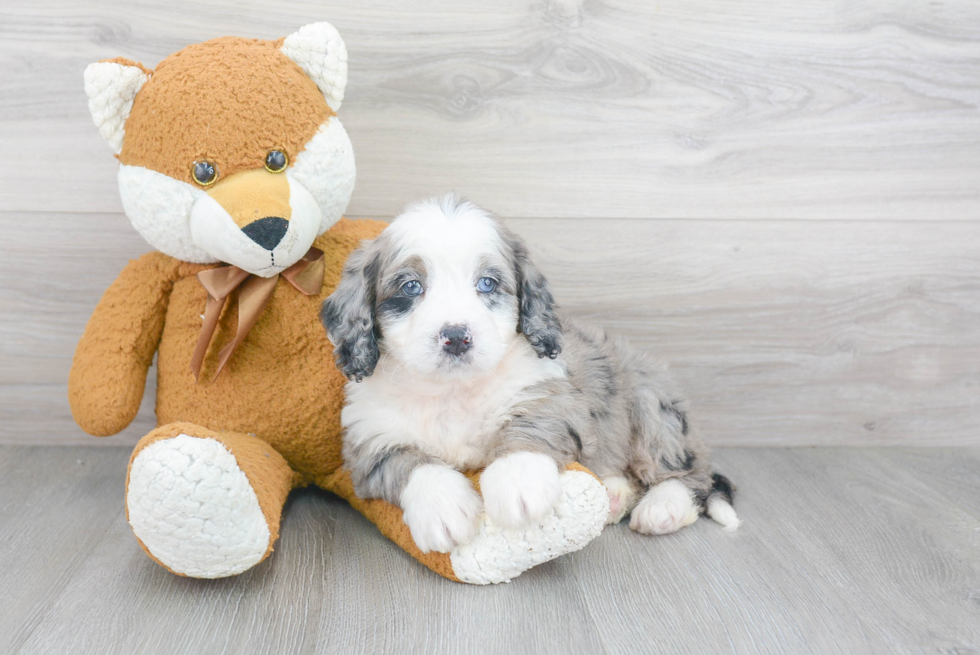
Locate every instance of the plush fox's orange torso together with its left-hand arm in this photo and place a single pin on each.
(281, 383)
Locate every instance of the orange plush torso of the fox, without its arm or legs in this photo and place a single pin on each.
(281, 384)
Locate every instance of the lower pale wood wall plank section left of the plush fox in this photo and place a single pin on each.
(47, 293)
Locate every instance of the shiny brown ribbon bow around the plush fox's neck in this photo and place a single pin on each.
(306, 276)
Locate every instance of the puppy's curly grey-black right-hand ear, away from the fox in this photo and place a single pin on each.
(537, 320)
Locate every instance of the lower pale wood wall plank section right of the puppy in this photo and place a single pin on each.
(789, 332)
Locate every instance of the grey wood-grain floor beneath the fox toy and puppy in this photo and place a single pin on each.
(842, 550)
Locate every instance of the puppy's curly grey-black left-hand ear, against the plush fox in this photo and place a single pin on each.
(348, 315)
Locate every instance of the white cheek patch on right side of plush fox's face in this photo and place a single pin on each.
(326, 169)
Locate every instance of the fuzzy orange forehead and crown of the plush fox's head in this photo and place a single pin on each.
(220, 85)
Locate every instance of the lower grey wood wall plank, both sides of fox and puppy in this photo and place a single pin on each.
(782, 332)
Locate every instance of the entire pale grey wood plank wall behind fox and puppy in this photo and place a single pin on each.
(780, 198)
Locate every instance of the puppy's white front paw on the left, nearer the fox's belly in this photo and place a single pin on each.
(441, 508)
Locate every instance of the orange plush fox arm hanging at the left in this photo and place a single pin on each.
(108, 374)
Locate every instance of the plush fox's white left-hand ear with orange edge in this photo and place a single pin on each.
(111, 87)
